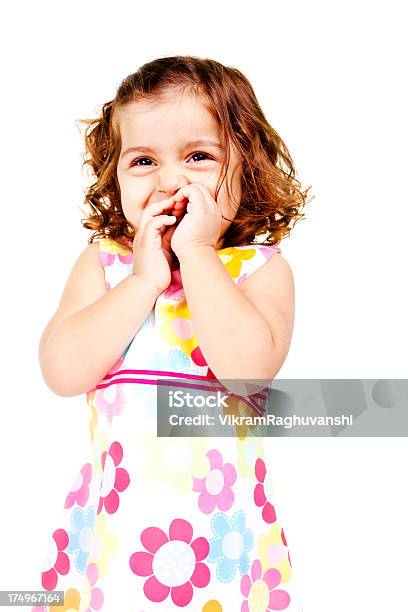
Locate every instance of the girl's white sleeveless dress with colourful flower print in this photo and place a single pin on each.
(162, 523)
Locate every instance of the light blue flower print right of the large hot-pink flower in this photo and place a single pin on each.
(231, 545)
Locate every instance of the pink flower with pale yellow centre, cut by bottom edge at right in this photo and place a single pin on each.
(260, 592)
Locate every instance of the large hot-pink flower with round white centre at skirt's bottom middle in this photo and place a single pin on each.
(173, 564)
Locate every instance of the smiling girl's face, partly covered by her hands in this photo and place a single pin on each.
(168, 158)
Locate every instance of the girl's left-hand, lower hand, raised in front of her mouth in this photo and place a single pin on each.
(151, 258)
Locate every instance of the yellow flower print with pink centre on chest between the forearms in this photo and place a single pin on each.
(175, 327)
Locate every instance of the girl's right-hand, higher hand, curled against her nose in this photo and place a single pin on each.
(201, 223)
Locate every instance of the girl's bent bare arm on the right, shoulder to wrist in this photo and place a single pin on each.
(243, 332)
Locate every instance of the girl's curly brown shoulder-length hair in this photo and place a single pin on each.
(271, 195)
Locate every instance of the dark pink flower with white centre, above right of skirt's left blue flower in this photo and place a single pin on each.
(115, 479)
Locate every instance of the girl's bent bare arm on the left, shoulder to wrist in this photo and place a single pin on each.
(92, 326)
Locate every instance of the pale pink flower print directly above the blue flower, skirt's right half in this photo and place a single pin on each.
(216, 487)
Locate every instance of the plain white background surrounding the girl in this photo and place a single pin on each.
(329, 77)
